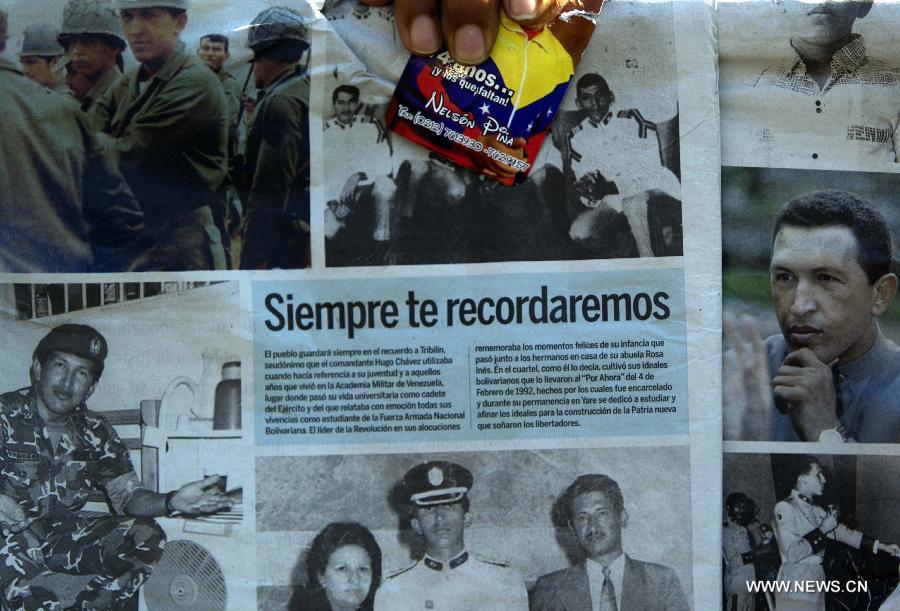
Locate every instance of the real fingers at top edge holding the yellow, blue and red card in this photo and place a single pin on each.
(469, 27)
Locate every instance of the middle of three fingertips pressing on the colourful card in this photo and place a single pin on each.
(470, 28)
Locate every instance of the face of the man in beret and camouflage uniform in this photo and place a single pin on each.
(64, 382)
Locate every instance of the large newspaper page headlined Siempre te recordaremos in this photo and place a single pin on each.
(263, 353)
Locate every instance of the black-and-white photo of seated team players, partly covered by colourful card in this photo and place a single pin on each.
(616, 194)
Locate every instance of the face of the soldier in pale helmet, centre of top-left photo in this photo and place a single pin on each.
(152, 33)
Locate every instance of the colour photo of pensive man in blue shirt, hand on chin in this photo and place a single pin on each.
(831, 372)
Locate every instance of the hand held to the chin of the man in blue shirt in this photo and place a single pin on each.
(806, 386)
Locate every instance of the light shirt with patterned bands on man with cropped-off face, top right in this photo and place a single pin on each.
(782, 118)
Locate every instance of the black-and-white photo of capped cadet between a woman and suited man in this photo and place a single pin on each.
(449, 524)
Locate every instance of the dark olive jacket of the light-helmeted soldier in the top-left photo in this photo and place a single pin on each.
(171, 135)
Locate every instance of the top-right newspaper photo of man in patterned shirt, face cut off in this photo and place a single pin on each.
(811, 89)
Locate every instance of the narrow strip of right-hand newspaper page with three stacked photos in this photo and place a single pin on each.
(809, 103)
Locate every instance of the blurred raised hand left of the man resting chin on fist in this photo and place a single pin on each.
(746, 384)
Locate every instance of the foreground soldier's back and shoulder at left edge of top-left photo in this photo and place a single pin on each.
(65, 209)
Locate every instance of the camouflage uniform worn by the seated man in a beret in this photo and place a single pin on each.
(51, 486)
